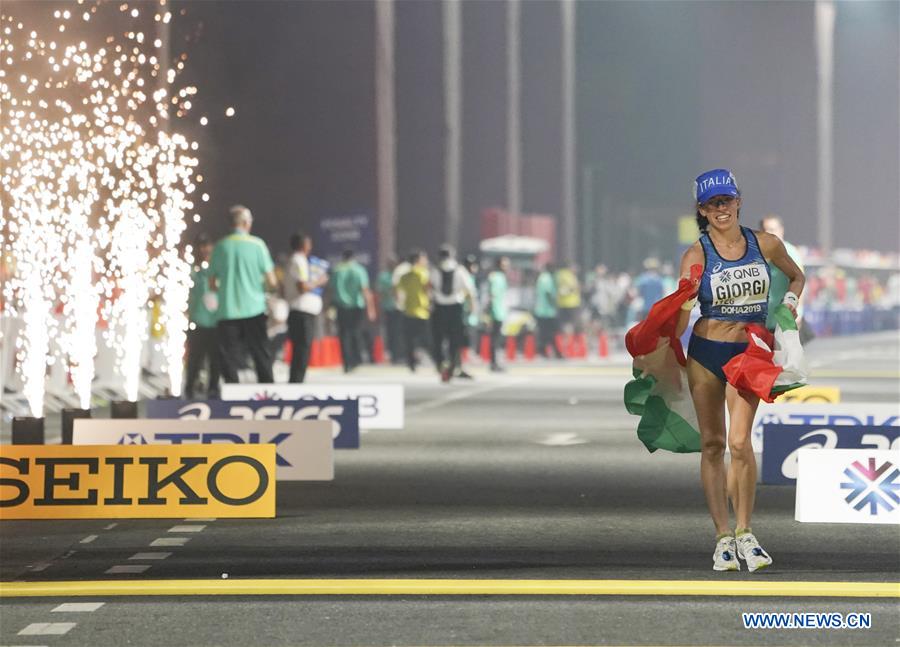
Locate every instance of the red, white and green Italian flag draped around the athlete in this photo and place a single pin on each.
(659, 392)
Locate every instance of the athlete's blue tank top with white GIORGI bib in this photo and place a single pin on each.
(734, 290)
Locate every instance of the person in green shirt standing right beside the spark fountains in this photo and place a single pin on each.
(201, 336)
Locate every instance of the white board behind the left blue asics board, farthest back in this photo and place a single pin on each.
(380, 405)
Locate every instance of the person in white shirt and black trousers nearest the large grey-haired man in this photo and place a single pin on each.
(305, 304)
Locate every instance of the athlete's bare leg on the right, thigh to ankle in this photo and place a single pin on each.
(742, 472)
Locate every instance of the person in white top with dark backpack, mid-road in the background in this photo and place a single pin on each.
(451, 289)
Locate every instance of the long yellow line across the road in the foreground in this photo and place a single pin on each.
(451, 587)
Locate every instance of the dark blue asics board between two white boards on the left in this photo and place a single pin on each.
(342, 412)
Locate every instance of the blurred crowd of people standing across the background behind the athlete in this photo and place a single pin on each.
(431, 308)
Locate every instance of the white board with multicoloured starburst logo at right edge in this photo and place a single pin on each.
(848, 486)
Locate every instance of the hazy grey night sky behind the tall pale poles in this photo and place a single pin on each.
(664, 91)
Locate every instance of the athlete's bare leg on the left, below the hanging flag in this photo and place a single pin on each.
(708, 394)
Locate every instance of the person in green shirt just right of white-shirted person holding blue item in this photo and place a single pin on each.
(353, 299)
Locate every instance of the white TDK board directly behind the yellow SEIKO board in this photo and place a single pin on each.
(304, 450)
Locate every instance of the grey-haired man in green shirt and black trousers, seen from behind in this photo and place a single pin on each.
(239, 271)
